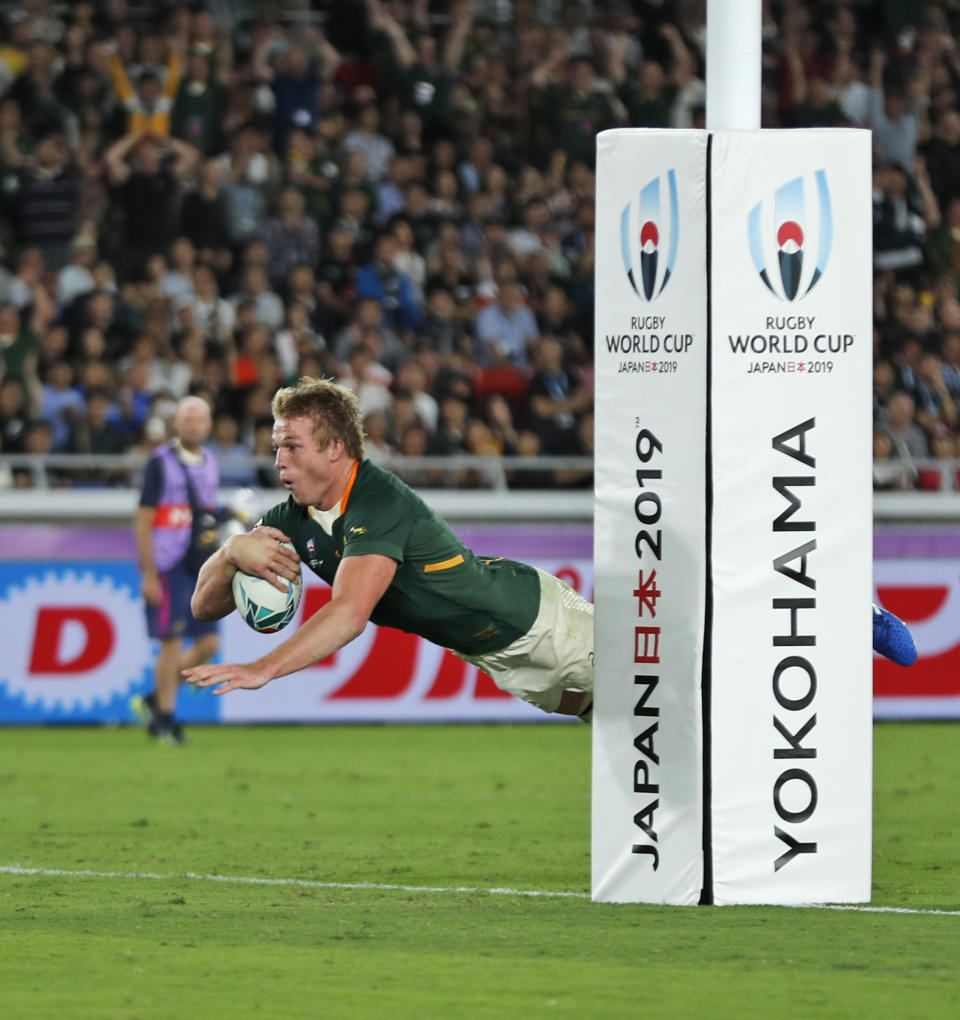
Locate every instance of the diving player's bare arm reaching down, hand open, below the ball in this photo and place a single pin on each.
(360, 585)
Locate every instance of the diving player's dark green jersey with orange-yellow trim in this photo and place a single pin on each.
(441, 591)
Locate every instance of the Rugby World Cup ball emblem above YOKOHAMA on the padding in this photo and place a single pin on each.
(797, 229)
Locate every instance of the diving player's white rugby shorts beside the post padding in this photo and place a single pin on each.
(555, 655)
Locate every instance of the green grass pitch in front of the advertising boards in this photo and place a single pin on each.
(416, 808)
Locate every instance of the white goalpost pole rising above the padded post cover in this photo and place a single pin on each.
(734, 61)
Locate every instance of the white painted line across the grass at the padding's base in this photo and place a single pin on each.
(17, 870)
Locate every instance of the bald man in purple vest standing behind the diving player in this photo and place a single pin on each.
(178, 511)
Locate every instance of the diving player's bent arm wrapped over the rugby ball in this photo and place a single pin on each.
(260, 552)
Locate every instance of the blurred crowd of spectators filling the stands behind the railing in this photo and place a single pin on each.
(218, 197)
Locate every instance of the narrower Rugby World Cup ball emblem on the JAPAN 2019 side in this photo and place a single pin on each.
(655, 229)
